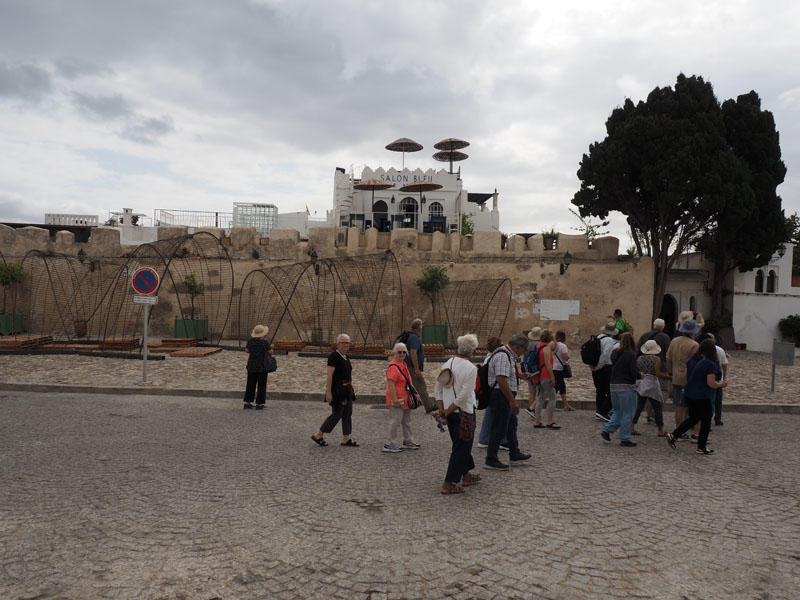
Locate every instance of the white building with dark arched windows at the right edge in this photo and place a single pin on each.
(761, 298)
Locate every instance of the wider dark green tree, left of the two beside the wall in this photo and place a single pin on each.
(668, 166)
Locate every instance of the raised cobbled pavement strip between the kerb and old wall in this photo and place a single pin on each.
(750, 374)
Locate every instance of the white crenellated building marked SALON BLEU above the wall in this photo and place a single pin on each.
(428, 211)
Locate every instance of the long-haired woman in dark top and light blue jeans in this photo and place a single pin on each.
(624, 374)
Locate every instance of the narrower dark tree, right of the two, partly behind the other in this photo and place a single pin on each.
(750, 226)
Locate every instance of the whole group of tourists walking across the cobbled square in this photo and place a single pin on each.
(627, 376)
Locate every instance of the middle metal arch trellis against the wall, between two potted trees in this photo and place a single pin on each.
(313, 302)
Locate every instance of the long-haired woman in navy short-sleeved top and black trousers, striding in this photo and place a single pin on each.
(703, 378)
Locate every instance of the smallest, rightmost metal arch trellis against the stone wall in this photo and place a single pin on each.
(478, 306)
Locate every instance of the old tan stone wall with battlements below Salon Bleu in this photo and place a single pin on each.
(597, 277)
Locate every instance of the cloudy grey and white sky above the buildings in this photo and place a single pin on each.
(197, 104)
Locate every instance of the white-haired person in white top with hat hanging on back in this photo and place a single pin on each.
(456, 402)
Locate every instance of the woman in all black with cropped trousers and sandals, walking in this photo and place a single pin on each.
(339, 394)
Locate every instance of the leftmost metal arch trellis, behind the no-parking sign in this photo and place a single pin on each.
(68, 298)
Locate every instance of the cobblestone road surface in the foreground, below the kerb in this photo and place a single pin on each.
(183, 498)
